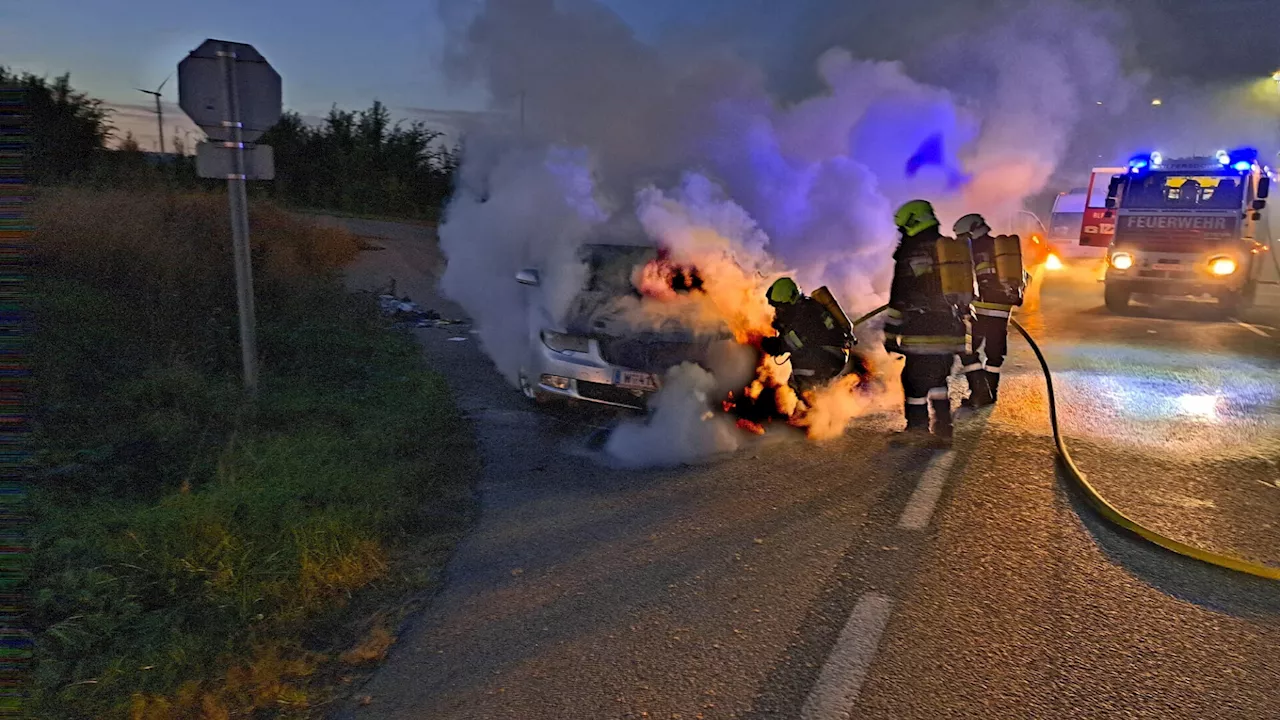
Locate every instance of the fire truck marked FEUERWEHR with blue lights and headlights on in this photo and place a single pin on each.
(1185, 227)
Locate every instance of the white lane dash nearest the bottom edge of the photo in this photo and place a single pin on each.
(843, 676)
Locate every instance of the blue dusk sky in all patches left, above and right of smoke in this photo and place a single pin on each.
(345, 53)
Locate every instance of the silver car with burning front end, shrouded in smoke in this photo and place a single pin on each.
(605, 352)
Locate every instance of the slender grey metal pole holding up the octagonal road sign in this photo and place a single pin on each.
(240, 221)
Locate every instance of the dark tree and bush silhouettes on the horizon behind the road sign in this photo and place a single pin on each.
(351, 162)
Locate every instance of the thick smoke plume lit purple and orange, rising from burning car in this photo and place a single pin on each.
(692, 145)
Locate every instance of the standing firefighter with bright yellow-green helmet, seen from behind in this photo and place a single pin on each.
(926, 320)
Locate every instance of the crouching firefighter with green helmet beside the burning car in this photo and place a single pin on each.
(819, 345)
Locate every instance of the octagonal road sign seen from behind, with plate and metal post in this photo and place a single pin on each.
(231, 92)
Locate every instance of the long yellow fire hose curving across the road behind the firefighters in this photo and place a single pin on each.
(1105, 509)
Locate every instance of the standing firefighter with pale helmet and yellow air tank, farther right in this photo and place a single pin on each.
(1002, 284)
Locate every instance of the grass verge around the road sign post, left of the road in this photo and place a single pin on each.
(195, 558)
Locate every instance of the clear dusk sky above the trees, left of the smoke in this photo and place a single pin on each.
(326, 52)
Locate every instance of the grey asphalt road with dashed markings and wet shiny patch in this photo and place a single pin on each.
(854, 580)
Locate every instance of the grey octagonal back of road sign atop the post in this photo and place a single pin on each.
(202, 93)
